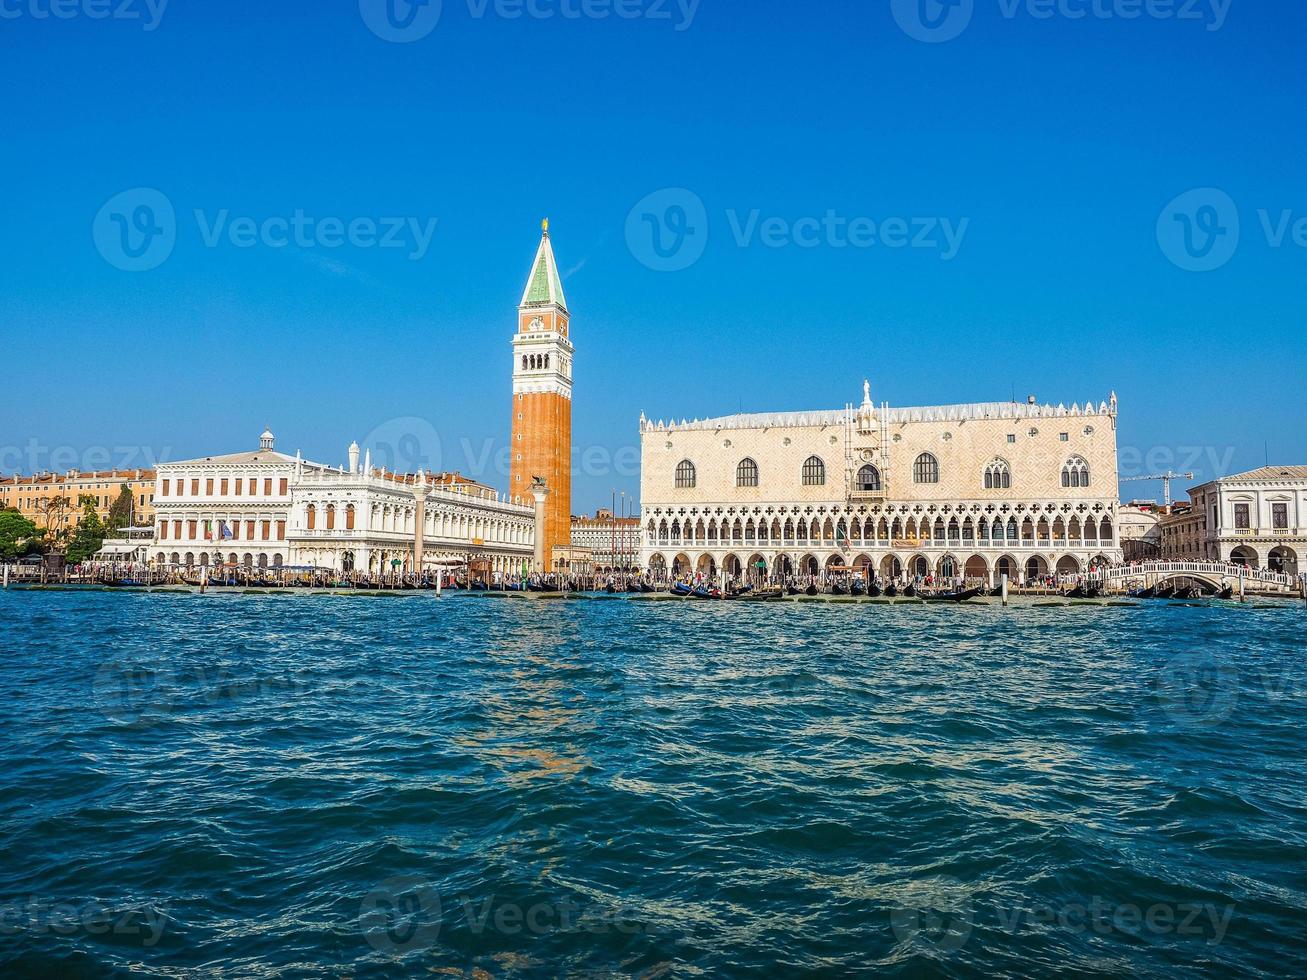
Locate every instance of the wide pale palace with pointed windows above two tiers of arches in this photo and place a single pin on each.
(977, 491)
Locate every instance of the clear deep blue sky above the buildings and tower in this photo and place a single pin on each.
(987, 212)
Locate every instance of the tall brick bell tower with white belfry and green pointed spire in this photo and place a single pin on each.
(542, 397)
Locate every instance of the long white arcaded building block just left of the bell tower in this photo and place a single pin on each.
(265, 509)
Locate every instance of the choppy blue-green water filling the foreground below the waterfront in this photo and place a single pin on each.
(305, 786)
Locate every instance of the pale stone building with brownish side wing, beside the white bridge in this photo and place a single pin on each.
(1257, 519)
